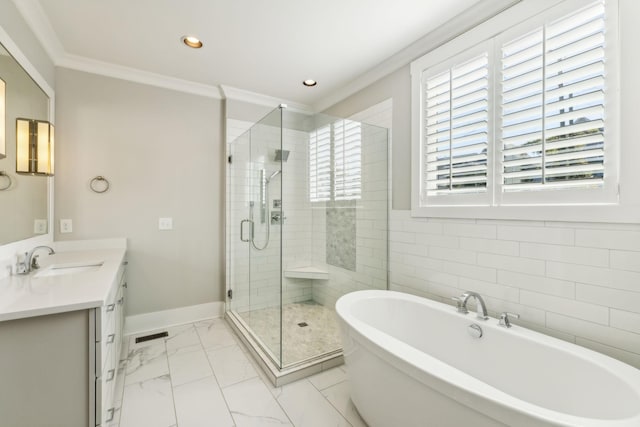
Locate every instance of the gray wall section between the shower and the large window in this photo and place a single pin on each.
(396, 86)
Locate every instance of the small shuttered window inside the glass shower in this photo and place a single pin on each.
(335, 162)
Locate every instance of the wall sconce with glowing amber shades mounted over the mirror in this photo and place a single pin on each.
(34, 147)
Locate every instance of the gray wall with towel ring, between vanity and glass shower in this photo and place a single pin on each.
(162, 152)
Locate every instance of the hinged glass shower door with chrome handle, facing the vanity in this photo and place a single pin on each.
(254, 260)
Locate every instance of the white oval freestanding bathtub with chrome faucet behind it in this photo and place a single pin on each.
(411, 362)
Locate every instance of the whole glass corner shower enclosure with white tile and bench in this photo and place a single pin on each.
(307, 206)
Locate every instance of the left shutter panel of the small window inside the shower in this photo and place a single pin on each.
(320, 164)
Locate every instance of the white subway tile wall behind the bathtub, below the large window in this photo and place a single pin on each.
(579, 282)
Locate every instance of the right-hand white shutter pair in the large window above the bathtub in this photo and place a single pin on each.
(553, 94)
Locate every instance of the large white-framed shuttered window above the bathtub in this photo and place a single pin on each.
(521, 118)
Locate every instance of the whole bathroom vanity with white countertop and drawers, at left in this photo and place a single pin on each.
(61, 335)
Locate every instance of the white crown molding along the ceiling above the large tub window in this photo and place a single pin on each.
(472, 17)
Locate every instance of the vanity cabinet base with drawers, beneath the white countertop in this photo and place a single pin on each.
(60, 369)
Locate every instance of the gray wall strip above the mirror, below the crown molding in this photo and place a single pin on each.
(12, 22)
